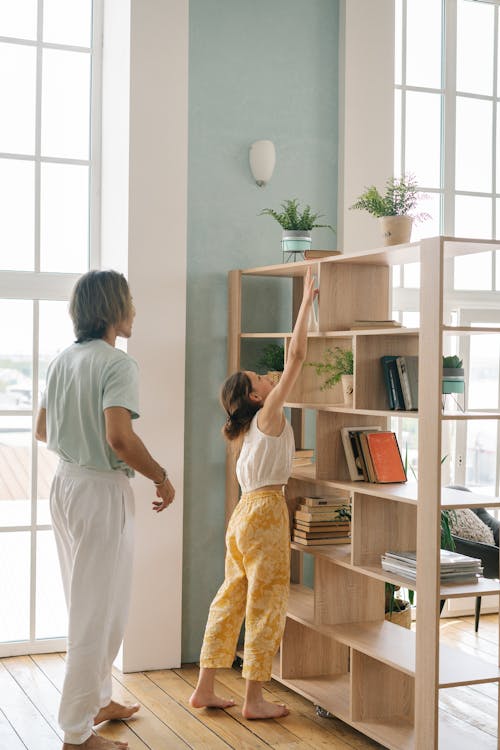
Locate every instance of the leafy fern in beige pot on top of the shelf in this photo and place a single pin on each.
(394, 208)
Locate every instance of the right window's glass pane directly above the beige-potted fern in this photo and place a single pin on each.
(423, 137)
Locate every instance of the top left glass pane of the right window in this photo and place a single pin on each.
(423, 43)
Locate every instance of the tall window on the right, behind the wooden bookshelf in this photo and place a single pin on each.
(447, 133)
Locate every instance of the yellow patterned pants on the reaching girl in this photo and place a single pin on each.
(256, 586)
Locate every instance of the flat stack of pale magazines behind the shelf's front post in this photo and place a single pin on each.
(455, 568)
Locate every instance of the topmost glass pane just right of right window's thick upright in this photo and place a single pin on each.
(475, 33)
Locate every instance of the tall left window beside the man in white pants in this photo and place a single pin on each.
(49, 170)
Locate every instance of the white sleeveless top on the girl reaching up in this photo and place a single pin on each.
(265, 459)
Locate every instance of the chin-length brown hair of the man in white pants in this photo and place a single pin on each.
(99, 299)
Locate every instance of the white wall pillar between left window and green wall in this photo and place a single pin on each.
(144, 232)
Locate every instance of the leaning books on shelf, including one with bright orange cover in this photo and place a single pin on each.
(372, 455)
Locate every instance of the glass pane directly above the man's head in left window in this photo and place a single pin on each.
(64, 218)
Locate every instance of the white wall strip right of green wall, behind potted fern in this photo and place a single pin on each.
(366, 120)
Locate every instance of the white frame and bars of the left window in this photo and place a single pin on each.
(37, 285)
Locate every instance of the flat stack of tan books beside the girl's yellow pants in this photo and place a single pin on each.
(322, 520)
